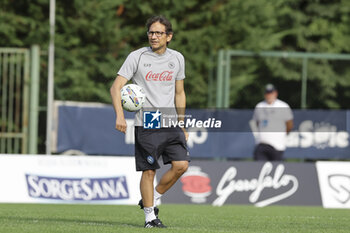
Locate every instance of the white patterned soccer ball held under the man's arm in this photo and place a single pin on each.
(133, 97)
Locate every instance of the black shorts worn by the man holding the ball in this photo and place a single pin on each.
(150, 144)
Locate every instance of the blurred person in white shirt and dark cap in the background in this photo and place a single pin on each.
(273, 120)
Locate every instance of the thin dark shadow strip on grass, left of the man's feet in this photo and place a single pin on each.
(63, 220)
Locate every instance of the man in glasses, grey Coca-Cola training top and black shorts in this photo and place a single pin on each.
(160, 71)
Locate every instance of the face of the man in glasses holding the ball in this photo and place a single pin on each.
(158, 42)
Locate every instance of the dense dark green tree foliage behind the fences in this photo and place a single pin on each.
(94, 37)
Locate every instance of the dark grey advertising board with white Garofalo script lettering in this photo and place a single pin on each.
(257, 183)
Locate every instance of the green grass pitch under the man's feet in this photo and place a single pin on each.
(179, 218)
